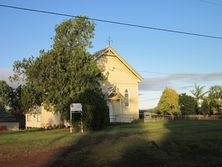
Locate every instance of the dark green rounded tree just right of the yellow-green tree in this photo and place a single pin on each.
(187, 104)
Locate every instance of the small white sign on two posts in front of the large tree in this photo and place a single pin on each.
(75, 108)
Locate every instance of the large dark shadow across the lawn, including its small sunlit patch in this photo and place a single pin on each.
(173, 143)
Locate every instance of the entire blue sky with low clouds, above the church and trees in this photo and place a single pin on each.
(163, 59)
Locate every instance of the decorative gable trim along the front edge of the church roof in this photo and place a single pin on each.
(111, 52)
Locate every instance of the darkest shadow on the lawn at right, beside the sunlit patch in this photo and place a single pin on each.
(182, 146)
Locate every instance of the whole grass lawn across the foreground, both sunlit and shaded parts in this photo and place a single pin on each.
(162, 143)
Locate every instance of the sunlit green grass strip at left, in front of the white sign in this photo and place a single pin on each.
(36, 140)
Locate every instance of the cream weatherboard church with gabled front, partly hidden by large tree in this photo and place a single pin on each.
(121, 90)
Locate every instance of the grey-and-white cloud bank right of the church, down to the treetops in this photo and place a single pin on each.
(151, 89)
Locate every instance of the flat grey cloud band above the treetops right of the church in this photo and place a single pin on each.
(178, 80)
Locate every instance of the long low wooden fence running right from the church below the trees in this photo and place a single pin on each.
(155, 117)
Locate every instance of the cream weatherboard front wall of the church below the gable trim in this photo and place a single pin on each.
(120, 76)
